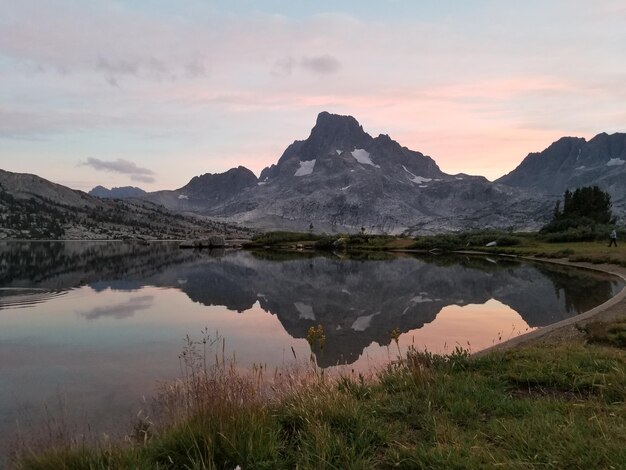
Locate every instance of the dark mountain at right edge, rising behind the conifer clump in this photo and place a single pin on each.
(572, 162)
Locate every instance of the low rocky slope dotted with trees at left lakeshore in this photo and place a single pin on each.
(32, 207)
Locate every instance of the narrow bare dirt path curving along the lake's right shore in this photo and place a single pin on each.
(567, 329)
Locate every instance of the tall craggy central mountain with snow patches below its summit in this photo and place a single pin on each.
(341, 179)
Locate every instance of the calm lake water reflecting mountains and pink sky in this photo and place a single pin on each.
(92, 327)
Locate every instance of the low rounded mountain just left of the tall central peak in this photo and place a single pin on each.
(208, 190)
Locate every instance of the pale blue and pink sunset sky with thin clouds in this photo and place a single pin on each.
(151, 93)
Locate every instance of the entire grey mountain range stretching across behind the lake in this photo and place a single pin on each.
(339, 179)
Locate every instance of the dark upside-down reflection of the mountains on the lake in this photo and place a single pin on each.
(357, 301)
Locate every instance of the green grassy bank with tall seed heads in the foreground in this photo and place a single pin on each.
(556, 406)
